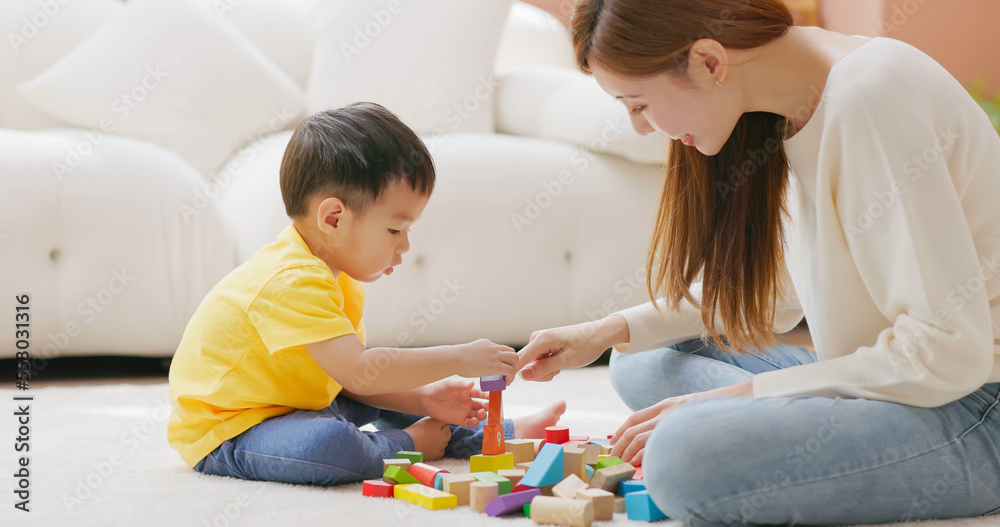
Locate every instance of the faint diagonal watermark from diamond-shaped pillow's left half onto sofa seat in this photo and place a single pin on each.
(122, 107)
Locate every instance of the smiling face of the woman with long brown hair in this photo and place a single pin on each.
(691, 110)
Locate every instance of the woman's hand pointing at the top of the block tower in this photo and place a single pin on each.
(551, 350)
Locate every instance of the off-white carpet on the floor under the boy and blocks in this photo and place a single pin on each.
(99, 457)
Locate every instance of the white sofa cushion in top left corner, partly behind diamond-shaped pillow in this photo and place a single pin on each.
(36, 33)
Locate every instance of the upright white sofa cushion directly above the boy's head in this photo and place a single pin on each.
(428, 61)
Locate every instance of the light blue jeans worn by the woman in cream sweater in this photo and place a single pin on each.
(805, 460)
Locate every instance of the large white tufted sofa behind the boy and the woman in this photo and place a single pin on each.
(540, 216)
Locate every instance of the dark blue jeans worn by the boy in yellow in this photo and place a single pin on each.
(326, 447)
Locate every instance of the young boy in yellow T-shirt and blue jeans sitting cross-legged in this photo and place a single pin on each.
(272, 379)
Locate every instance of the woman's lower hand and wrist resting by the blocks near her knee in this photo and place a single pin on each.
(629, 442)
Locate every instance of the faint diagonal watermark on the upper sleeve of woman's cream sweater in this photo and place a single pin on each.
(914, 168)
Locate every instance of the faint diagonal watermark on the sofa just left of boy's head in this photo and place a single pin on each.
(208, 191)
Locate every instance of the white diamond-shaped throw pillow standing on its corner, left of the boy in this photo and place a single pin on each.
(170, 72)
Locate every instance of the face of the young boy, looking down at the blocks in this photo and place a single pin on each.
(369, 246)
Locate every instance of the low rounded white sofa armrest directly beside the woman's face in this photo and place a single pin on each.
(568, 106)
